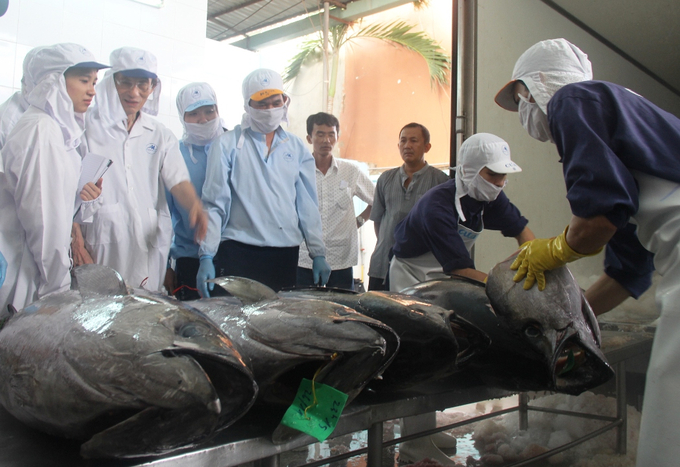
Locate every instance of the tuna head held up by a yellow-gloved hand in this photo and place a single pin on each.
(556, 329)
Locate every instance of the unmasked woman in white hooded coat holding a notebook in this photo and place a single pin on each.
(39, 172)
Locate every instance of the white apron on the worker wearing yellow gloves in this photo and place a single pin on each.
(658, 220)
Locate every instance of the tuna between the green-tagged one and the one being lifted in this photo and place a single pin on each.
(435, 342)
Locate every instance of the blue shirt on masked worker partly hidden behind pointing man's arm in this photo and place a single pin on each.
(183, 245)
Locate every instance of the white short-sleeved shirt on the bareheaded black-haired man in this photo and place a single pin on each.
(336, 191)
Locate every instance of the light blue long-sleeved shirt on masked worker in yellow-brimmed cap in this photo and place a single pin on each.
(260, 198)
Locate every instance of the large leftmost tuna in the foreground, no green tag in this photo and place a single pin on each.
(133, 374)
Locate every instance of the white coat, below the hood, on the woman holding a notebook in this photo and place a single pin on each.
(39, 183)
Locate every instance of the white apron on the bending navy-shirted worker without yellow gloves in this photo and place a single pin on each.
(407, 272)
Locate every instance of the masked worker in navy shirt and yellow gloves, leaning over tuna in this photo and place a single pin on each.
(621, 167)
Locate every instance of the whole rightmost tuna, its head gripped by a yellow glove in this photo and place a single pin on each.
(545, 340)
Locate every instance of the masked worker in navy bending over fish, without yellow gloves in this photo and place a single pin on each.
(436, 237)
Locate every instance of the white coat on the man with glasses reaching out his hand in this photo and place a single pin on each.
(132, 231)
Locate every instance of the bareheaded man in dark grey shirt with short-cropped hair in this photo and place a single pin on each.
(396, 192)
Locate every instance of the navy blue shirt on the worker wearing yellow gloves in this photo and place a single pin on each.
(603, 131)
